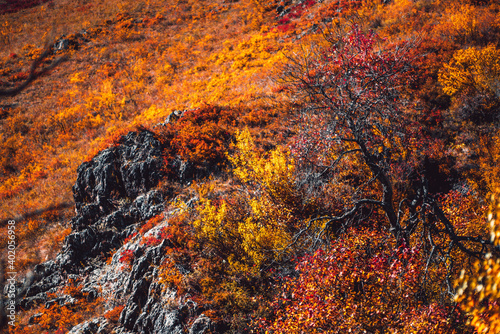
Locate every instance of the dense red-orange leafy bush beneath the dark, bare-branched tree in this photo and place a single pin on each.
(359, 284)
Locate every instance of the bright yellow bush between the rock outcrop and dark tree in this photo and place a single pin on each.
(252, 230)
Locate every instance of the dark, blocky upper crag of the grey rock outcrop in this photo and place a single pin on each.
(118, 173)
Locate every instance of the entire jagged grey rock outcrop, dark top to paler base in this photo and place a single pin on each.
(114, 193)
